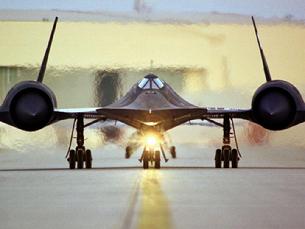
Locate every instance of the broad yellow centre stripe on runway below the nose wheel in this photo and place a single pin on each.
(154, 208)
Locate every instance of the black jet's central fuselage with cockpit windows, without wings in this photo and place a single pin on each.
(152, 103)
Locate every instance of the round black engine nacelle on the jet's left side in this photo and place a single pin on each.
(30, 105)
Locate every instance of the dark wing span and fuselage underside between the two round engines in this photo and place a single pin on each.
(167, 118)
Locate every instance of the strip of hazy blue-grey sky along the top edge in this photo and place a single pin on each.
(263, 8)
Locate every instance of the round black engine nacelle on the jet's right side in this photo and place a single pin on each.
(275, 105)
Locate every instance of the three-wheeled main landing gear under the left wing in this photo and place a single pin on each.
(80, 155)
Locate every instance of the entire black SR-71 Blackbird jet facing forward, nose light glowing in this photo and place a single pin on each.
(152, 107)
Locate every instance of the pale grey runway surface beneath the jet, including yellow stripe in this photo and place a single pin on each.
(37, 191)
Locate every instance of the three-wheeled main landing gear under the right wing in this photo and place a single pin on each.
(226, 154)
